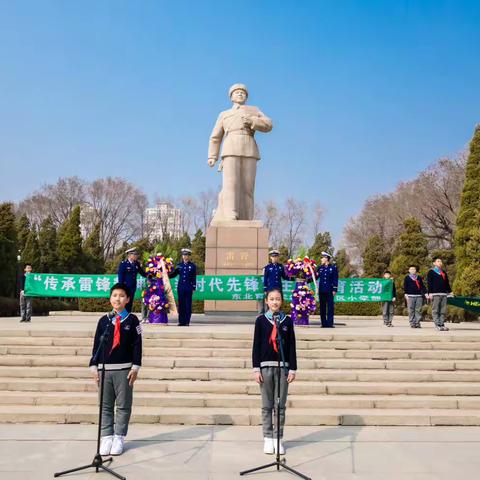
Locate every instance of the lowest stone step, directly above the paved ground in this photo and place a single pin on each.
(242, 416)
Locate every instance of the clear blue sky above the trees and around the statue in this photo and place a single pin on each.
(363, 94)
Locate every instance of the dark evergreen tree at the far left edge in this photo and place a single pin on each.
(8, 250)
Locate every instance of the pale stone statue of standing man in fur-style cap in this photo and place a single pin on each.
(237, 127)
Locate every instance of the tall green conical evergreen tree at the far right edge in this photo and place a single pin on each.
(467, 235)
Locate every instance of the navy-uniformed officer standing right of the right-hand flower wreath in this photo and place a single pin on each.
(327, 289)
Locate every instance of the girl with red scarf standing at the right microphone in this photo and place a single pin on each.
(265, 355)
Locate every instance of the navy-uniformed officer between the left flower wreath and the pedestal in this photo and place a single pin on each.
(187, 284)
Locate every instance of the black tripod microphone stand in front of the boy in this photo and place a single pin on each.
(98, 462)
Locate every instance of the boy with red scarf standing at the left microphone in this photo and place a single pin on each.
(123, 358)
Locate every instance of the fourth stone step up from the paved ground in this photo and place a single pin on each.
(242, 375)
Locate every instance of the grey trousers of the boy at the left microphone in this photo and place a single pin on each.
(117, 393)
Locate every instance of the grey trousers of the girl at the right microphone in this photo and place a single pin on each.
(269, 390)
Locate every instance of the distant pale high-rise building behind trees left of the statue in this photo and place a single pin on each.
(162, 221)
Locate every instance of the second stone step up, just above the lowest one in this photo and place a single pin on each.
(167, 399)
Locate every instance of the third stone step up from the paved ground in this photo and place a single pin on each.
(300, 387)
